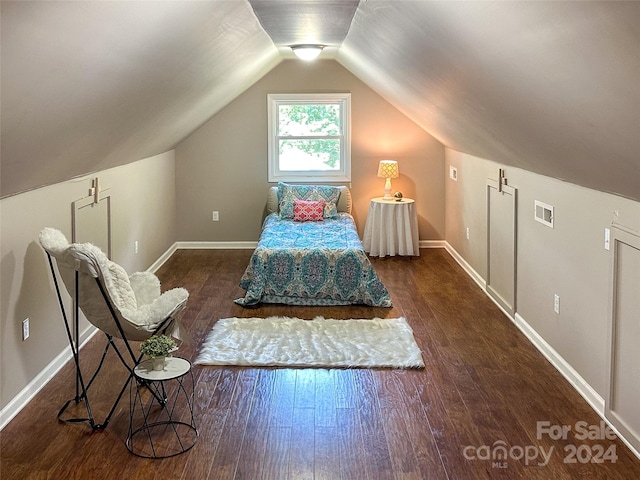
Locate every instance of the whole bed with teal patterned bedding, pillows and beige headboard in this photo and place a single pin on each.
(311, 261)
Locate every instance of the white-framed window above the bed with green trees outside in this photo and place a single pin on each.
(309, 137)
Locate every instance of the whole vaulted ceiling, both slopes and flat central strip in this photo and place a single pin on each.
(551, 87)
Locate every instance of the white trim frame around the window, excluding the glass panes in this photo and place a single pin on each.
(274, 173)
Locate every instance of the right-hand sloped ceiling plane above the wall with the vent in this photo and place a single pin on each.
(552, 87)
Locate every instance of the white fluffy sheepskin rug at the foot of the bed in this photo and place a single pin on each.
(292, 342)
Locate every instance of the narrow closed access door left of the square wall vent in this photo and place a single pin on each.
(501, 244)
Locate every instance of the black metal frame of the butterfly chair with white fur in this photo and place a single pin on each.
(82, 387)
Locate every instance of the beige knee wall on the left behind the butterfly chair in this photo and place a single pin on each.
(143, 209)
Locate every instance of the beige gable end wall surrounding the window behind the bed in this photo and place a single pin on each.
(223, 165)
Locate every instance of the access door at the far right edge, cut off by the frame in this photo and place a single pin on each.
(622, 405)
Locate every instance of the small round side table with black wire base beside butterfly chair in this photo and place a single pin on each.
(162, 422)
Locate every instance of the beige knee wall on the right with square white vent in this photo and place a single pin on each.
(569, 259)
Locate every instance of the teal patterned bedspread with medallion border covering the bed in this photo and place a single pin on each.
(311, 263)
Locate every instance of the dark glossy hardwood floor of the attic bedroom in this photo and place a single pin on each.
(484, 387)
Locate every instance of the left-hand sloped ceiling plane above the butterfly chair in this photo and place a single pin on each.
(92, 84)
